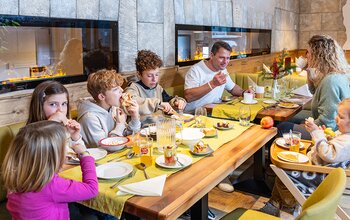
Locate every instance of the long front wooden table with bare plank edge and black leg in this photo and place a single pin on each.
(190, 187)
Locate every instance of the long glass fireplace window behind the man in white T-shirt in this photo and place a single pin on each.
(193, 43)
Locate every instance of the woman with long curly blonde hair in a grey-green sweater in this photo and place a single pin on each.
(328, 80)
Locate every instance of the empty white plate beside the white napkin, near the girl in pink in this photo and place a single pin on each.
(113, 170)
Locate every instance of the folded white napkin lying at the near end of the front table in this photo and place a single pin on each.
(149, 187)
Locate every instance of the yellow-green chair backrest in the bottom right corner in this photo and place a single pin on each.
(323, 202)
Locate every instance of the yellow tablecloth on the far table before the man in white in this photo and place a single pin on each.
(231, 109)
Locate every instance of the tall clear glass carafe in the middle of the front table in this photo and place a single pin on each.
(166, 129)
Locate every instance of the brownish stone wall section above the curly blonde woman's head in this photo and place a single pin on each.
(321, 17)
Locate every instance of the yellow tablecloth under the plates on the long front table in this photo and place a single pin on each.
(108, 202)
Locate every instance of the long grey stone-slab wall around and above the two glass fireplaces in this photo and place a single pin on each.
(150, 24)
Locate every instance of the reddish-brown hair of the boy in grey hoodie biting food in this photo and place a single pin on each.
(102, 81)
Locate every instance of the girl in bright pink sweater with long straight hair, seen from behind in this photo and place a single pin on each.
(30, 173)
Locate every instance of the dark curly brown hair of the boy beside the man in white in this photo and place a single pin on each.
(147, 60)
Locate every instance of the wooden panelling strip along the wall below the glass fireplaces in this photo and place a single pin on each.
(14, 105)
